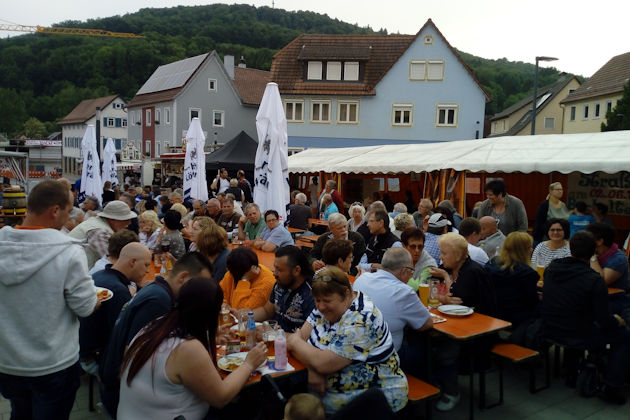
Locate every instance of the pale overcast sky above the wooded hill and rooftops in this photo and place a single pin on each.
(583, 35)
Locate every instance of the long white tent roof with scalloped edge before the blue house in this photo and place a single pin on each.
(565, 153)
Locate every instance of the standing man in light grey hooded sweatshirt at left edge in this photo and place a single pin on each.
(44, 288)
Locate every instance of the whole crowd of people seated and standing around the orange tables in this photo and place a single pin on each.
(349, 304)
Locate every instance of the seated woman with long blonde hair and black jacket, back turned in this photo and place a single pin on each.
(514, 281)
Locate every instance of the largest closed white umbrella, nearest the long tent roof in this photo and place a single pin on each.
(271, 166)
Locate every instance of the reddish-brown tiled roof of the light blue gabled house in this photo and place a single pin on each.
(378, 52)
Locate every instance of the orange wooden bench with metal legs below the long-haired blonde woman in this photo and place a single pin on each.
(517, 355)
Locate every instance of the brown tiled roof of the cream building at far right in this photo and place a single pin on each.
(610, 78)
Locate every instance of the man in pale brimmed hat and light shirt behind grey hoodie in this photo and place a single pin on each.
(96, 231)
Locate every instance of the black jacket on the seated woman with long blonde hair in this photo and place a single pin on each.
(515, 291)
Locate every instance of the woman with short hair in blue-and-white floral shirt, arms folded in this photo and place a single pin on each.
(346, 345)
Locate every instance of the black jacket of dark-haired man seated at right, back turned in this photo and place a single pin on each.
(575, 301)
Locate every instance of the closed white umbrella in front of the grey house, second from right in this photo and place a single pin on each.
(195, 184)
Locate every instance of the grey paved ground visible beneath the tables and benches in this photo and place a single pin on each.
(555, 403)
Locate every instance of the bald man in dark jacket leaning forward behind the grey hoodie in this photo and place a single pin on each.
(131, 266)
